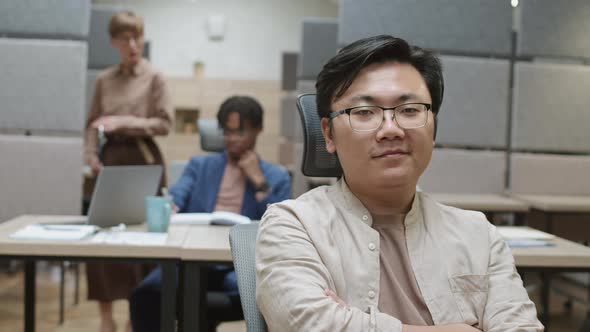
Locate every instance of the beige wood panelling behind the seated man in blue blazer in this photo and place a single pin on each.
(206, 95)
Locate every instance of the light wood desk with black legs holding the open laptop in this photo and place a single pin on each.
(31, 251)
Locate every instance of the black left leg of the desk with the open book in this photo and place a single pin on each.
(194, 314)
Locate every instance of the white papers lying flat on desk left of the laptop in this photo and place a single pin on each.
(54, 232)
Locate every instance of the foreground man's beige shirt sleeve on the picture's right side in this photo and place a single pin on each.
(508, 307)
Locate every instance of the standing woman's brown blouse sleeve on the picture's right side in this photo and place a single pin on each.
(160, 116)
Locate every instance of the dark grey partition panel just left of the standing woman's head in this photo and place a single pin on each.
(100, 52)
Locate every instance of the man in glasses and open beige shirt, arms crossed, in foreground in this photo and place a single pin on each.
(369, 253)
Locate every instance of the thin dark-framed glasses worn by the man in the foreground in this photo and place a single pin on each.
(370, 118)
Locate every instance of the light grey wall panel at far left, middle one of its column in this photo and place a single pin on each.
(42, 92)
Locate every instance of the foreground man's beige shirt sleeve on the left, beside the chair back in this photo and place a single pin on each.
(291, 280)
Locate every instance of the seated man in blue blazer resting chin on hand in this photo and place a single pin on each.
(235, 180)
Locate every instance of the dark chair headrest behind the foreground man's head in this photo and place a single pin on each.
(316, 161)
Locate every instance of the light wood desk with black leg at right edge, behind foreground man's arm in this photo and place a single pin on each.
(564, 256)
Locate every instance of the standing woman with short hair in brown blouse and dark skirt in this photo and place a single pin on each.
(130, 105)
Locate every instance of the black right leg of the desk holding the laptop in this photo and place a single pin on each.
(168, 307)
